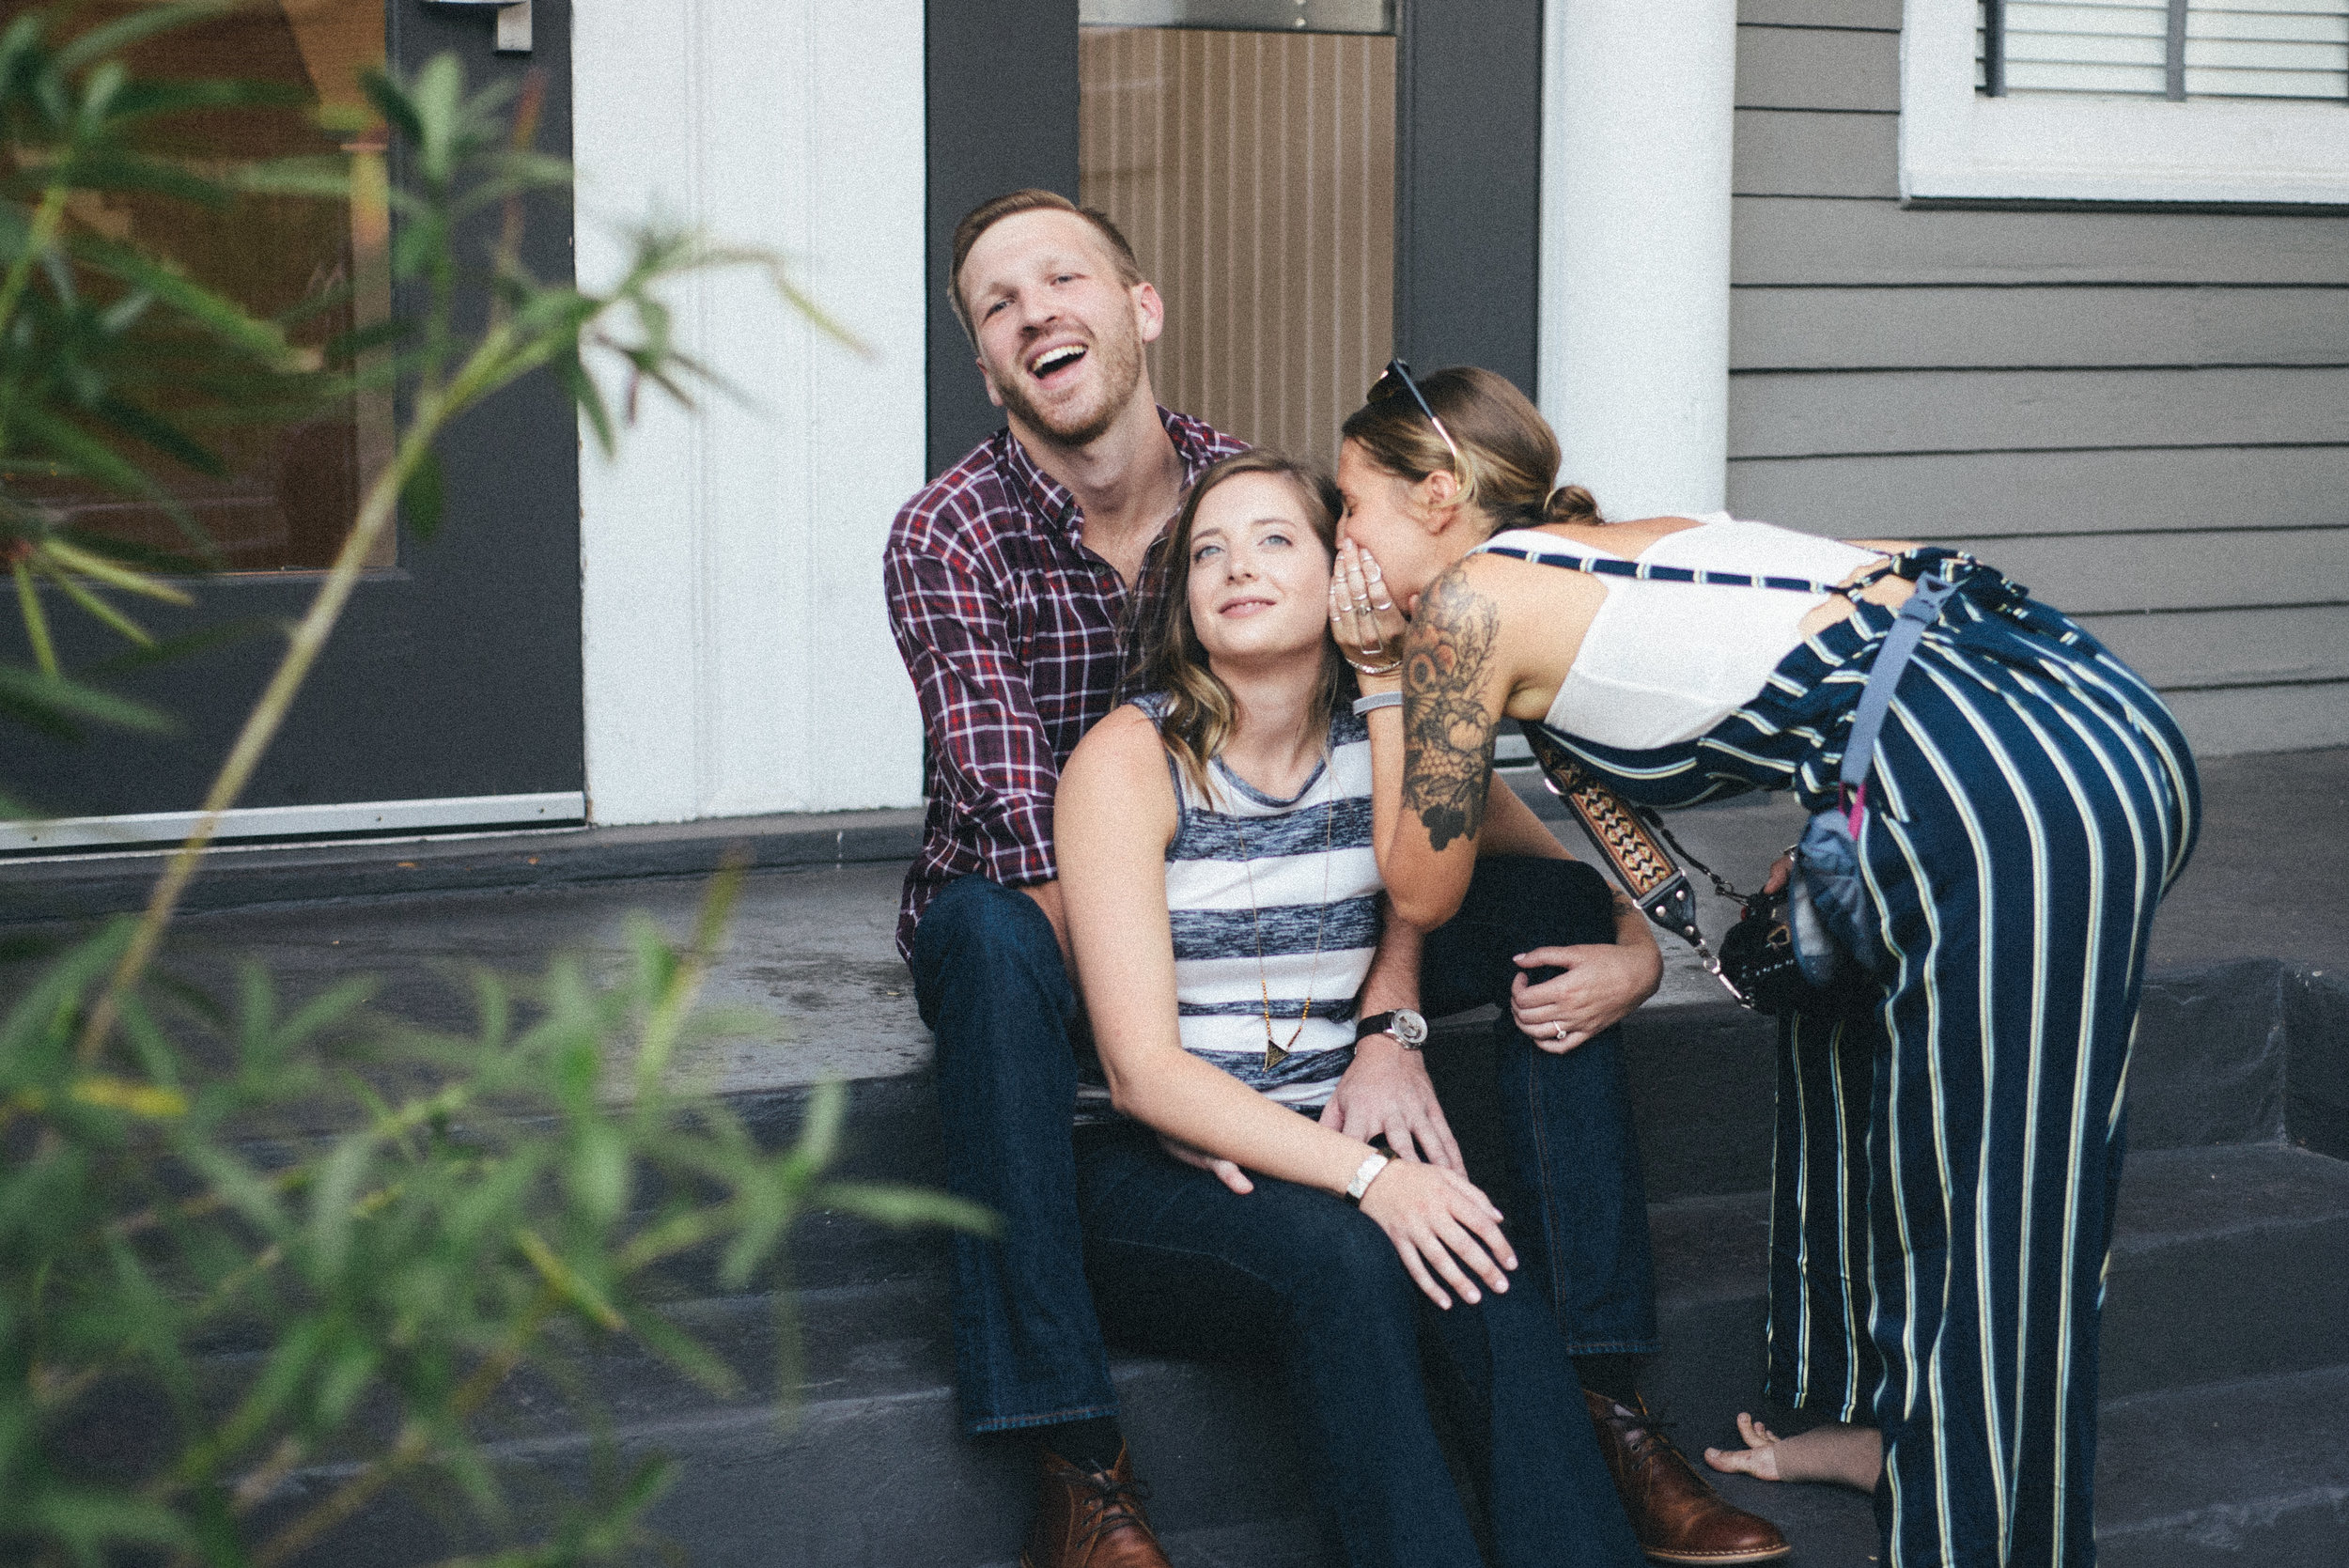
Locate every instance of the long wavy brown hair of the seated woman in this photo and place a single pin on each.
(1176, 663)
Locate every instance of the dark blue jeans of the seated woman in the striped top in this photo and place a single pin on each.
(1183, 1264)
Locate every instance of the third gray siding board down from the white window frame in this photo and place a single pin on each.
(1791, 414)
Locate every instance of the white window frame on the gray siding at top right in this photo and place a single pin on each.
(1967, 147)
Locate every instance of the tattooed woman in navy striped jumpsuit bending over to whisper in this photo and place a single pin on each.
(1951, 1142)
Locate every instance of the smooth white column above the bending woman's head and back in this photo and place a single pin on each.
(1636, 142)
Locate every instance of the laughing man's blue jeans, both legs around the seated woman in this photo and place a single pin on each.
(995, 992)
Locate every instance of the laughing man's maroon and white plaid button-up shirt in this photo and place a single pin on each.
(1016, 637)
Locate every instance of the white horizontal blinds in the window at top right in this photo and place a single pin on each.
(2165, 50)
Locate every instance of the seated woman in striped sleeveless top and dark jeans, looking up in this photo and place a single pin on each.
(1225, 912)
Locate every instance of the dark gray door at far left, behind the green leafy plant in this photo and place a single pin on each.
(457, 668)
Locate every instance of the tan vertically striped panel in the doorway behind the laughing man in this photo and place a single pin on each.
(1256, 177)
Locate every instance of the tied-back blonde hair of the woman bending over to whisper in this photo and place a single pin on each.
(1507, 452)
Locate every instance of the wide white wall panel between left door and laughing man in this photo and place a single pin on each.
(739, 656)
